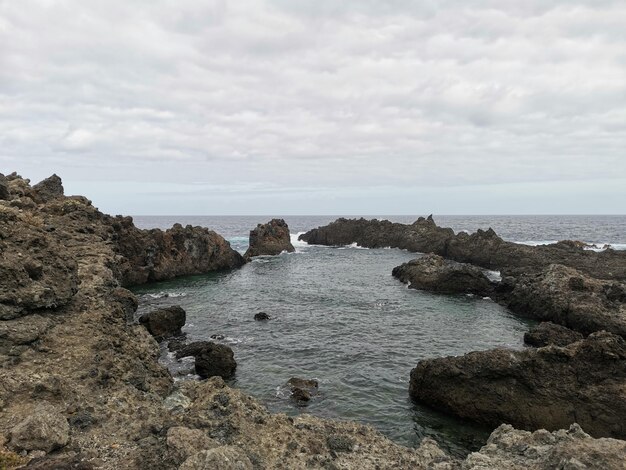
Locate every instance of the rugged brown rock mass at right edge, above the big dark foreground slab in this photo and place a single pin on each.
(566, 296)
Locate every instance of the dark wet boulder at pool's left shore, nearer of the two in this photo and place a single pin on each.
(212, 359)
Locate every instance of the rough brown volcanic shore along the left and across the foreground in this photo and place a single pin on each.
(81, 386)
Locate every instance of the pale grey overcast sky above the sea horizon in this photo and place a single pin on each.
(319, 106)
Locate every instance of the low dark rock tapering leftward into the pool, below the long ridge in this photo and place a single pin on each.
(436, 274)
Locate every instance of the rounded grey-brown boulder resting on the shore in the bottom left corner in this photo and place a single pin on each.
(46, 429)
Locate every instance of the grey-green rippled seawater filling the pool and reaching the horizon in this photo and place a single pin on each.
(340, 317)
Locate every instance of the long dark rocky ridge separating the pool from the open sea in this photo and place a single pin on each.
(483, 248)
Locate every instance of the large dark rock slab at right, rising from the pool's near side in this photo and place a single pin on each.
(550, 387)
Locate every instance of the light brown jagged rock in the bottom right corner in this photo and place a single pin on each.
(511, 449)
